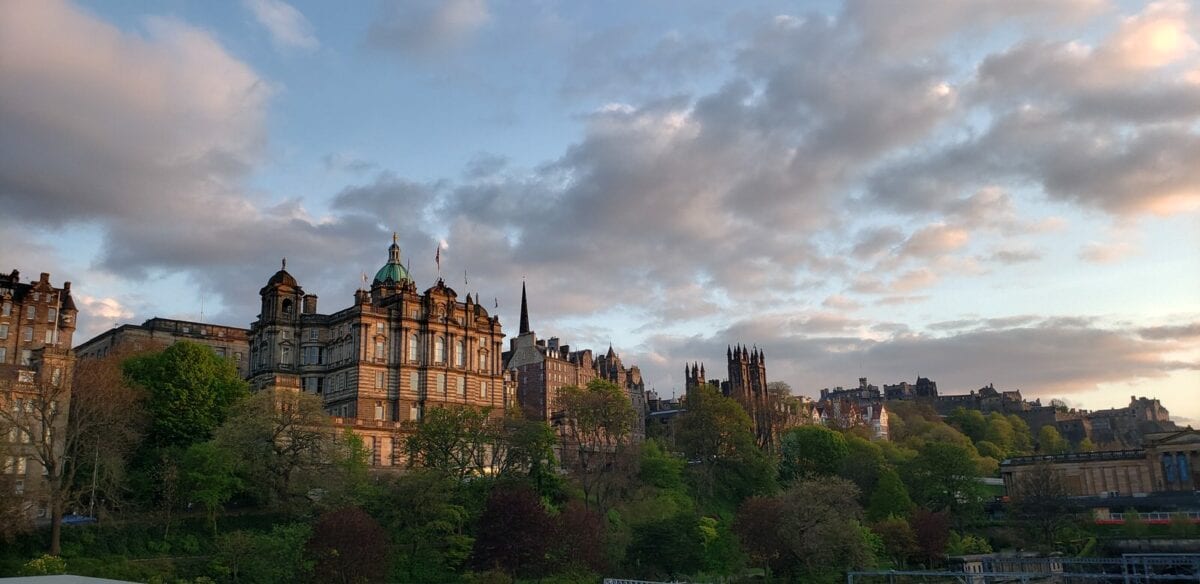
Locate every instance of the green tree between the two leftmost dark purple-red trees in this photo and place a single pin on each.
(429, 525)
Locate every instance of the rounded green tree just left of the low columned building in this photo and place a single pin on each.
(945, 477)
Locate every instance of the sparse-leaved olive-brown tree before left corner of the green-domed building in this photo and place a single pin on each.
(279, 437)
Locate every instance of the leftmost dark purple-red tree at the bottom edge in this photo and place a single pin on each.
(349, 549)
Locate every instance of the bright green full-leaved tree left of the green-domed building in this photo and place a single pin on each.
(191, 392)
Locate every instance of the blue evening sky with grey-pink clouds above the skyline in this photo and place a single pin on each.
(980, 192)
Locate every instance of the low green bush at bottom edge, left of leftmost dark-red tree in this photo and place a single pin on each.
(257, 558)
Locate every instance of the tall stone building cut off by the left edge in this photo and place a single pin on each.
(37, 365)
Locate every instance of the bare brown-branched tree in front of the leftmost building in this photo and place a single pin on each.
(89, 422)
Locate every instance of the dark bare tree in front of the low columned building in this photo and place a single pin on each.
(1040, 501)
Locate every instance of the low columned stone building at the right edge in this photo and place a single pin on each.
(1166, 463)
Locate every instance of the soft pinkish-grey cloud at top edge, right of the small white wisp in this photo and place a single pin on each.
(425, 28)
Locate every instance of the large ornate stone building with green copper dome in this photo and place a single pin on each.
(385, 360)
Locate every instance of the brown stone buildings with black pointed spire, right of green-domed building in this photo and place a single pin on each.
(541, 369)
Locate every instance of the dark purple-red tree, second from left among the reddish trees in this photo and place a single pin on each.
(514, 534)
